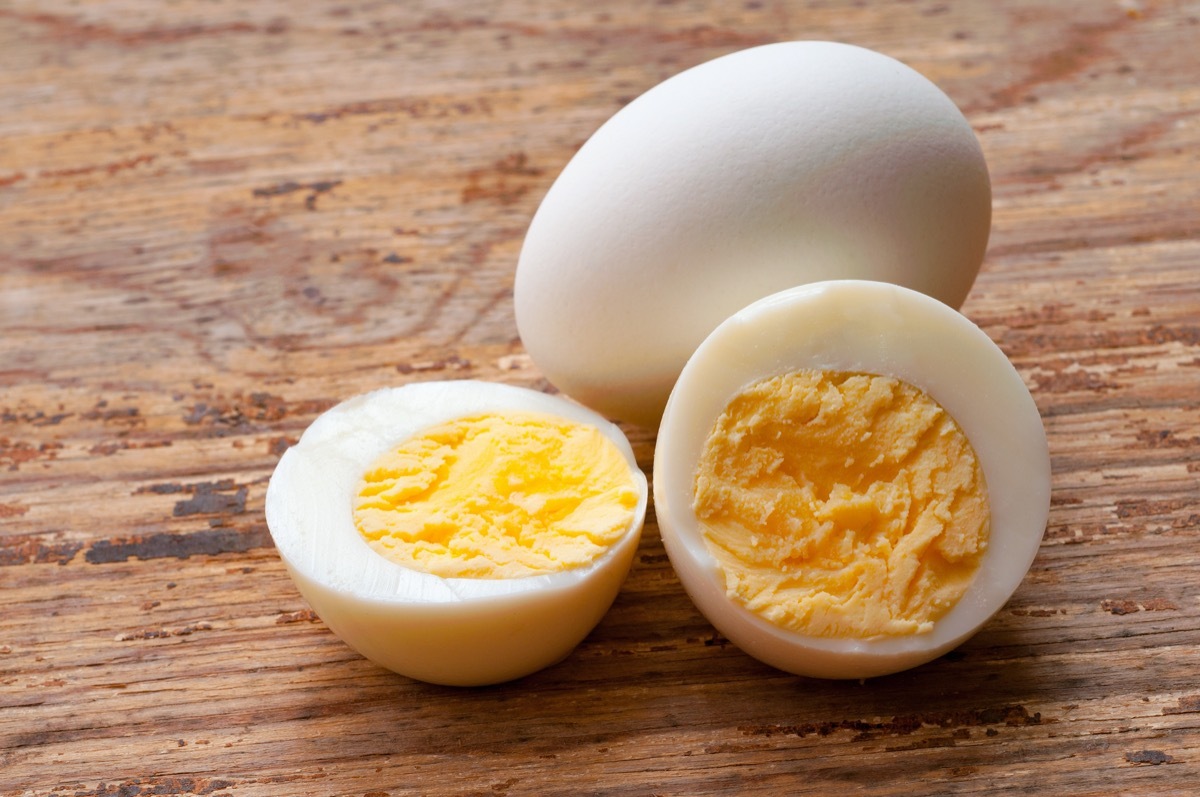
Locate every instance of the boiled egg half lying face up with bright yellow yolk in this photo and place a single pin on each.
(460, 534)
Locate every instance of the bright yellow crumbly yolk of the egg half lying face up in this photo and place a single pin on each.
(497, 496)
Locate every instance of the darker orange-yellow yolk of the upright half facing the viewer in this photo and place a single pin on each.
(843, 505)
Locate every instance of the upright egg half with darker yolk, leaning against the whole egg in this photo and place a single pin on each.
(850, 480)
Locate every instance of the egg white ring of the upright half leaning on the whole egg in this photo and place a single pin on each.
(875, 328)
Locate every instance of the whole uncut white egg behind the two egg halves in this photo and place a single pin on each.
(755, 172)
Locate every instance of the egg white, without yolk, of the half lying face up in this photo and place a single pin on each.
(454, 632)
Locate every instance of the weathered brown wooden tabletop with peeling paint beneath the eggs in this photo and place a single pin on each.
(219, 219)
